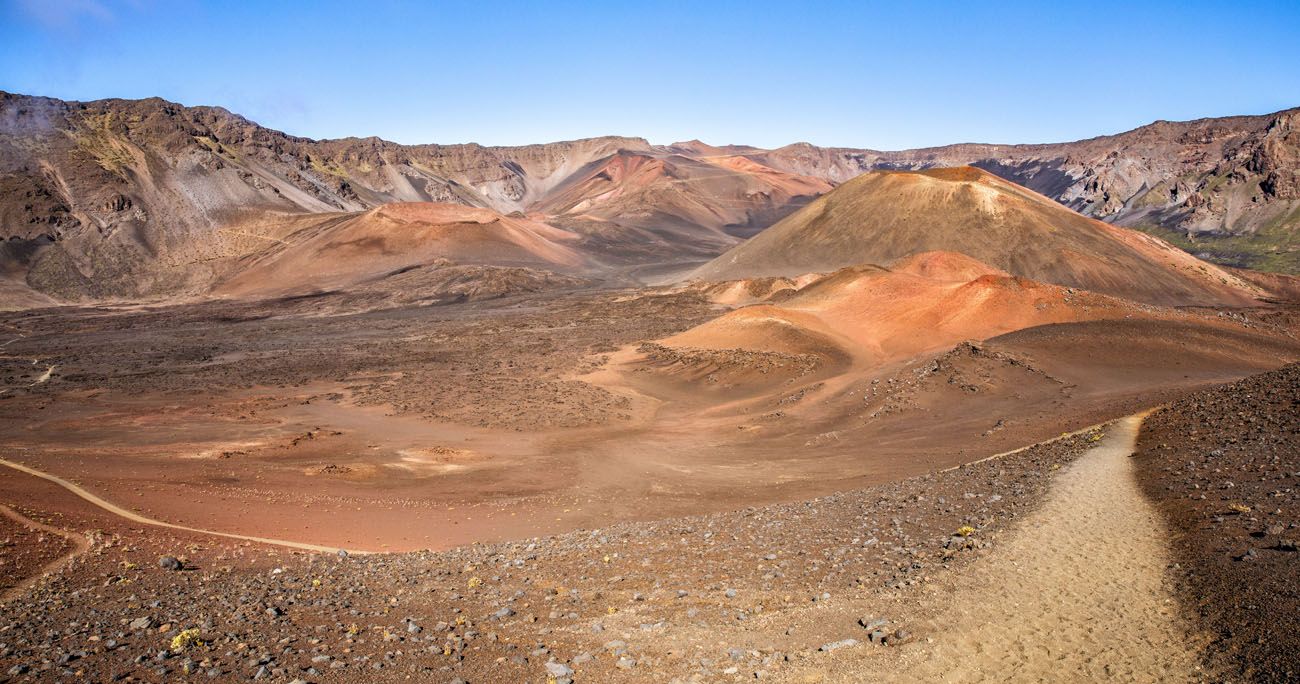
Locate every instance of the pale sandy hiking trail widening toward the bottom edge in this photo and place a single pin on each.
(1078, 592)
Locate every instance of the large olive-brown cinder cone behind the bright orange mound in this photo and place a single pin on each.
(883, 217)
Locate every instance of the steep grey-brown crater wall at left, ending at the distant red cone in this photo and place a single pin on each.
(132, 198)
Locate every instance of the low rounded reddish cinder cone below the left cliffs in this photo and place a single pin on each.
(344, 250)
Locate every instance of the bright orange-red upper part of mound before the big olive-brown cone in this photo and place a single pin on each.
(924, 304)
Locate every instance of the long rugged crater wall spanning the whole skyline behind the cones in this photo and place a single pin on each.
(137, 198)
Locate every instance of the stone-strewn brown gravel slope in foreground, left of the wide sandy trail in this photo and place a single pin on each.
(742, 594)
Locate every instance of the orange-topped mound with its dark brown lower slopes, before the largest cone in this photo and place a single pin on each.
(933, 348)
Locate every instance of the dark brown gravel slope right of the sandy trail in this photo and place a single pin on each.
(1224, 466)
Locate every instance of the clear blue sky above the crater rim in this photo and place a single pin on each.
(861, 75)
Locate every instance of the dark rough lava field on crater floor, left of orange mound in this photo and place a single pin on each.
(505, 357)
